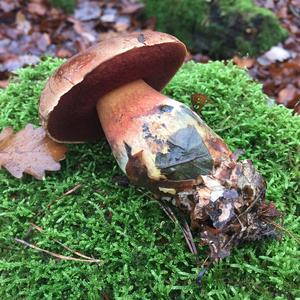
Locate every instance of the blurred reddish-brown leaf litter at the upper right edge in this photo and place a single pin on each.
(279, 68)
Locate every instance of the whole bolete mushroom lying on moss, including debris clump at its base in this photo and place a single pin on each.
(161, 144)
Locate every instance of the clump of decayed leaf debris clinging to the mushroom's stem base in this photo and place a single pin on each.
(227, 208)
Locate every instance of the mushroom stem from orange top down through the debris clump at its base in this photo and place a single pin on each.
(164, 146)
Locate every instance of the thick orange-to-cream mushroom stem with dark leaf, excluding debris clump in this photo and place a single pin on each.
(170, 141)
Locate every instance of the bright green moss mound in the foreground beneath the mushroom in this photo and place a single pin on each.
(144, 253)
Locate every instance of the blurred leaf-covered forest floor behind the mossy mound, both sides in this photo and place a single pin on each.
(32, 29)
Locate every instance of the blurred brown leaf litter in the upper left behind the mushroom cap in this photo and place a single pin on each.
(34, 29)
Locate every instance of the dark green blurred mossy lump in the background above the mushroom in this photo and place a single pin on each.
(219, 28)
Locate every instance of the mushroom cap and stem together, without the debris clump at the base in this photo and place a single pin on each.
(113, 87)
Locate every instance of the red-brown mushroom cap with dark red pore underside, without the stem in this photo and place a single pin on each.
(67, 104)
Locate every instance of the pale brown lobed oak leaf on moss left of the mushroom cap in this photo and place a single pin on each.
(29, 150)
